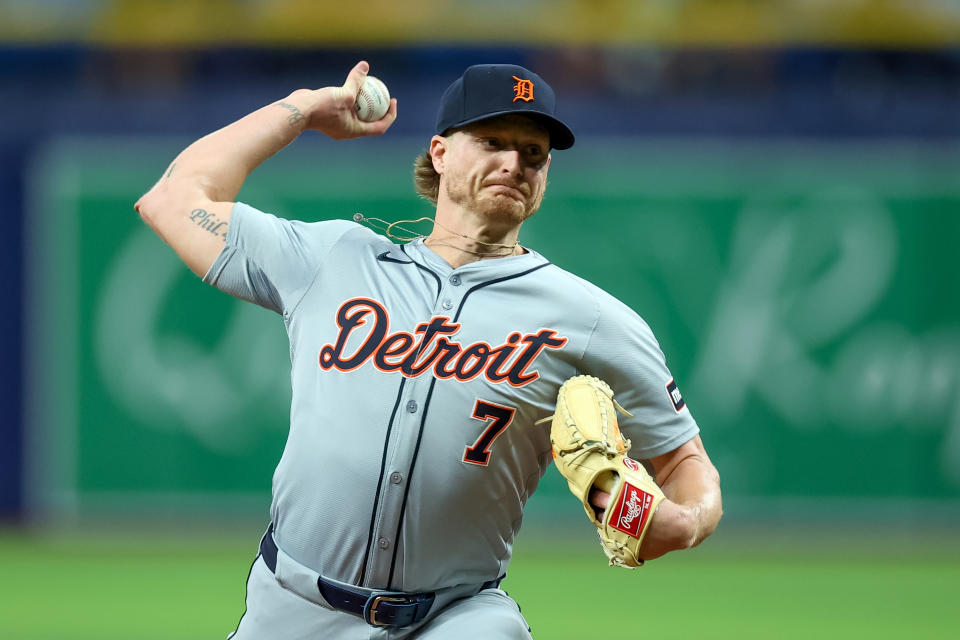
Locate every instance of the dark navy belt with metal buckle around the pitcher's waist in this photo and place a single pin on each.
(377, 608)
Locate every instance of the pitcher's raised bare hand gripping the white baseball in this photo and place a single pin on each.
(331, 110)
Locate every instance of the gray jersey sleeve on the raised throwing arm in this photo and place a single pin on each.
(272, 261)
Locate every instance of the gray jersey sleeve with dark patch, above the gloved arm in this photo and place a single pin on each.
(623, 351)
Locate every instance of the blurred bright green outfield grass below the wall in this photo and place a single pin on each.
(744, 585)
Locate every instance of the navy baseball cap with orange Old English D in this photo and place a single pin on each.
(488, 90)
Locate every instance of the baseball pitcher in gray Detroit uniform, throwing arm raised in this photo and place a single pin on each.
(425, 374)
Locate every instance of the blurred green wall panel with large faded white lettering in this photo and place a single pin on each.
(805, 293)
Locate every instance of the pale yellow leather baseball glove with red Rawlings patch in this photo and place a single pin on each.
(590, 452)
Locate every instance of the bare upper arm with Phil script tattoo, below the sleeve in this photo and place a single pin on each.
(195, 228)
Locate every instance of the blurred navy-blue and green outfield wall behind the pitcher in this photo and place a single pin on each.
(717, 136)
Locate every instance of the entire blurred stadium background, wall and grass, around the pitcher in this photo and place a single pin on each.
(774, 186)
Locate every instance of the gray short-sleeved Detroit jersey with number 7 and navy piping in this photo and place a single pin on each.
(412, 447)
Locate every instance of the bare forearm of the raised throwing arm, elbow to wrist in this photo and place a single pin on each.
(216, 166)
